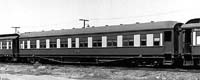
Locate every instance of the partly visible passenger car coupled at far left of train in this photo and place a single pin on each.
(9, 48)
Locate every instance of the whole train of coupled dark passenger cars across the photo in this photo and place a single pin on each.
(153, 43)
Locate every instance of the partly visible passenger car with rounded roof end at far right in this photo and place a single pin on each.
(191, 42)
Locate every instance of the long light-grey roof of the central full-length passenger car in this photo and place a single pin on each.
(104, 29)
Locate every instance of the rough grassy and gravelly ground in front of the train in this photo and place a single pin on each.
(69, 72)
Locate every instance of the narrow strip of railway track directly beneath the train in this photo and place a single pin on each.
(147, 68)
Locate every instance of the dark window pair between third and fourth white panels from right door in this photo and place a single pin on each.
(128, 40)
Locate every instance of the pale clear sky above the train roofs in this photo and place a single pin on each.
(45, 15)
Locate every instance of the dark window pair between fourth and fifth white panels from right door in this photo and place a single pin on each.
(112, 41)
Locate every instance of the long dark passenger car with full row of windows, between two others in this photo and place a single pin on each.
(154, 43)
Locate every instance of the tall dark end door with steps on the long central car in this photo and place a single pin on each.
(168, 47)
